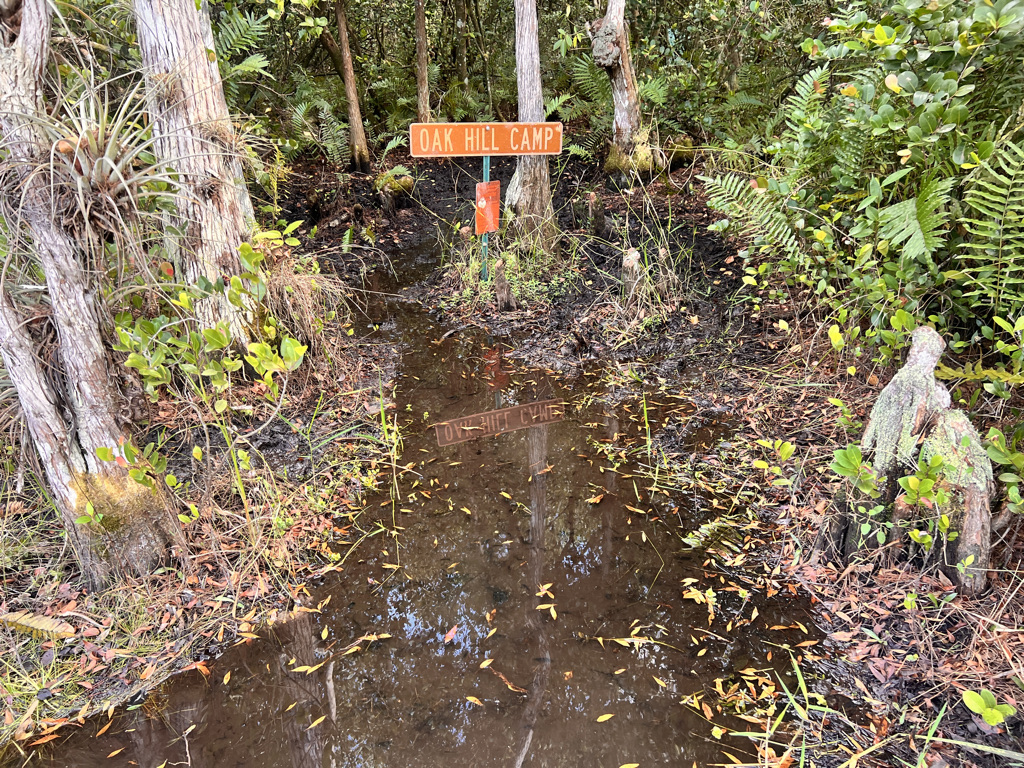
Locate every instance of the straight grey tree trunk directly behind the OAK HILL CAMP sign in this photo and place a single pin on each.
(536, 217)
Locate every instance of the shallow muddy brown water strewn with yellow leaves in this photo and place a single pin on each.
(475, 672)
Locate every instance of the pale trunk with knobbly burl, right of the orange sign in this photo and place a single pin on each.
(611, 47)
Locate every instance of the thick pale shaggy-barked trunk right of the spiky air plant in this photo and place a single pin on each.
(193, 134)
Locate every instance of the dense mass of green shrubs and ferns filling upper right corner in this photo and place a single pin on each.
(893, 189)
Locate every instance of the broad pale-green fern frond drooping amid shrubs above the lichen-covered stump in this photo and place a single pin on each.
(919, 224)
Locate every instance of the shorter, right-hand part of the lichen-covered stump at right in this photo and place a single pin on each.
(967, 479)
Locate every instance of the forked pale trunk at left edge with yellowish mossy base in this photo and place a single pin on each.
(137, 529)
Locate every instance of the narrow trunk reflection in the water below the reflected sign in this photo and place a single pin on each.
(537, 453)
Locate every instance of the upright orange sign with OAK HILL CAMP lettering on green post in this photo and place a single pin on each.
(462, 140)
